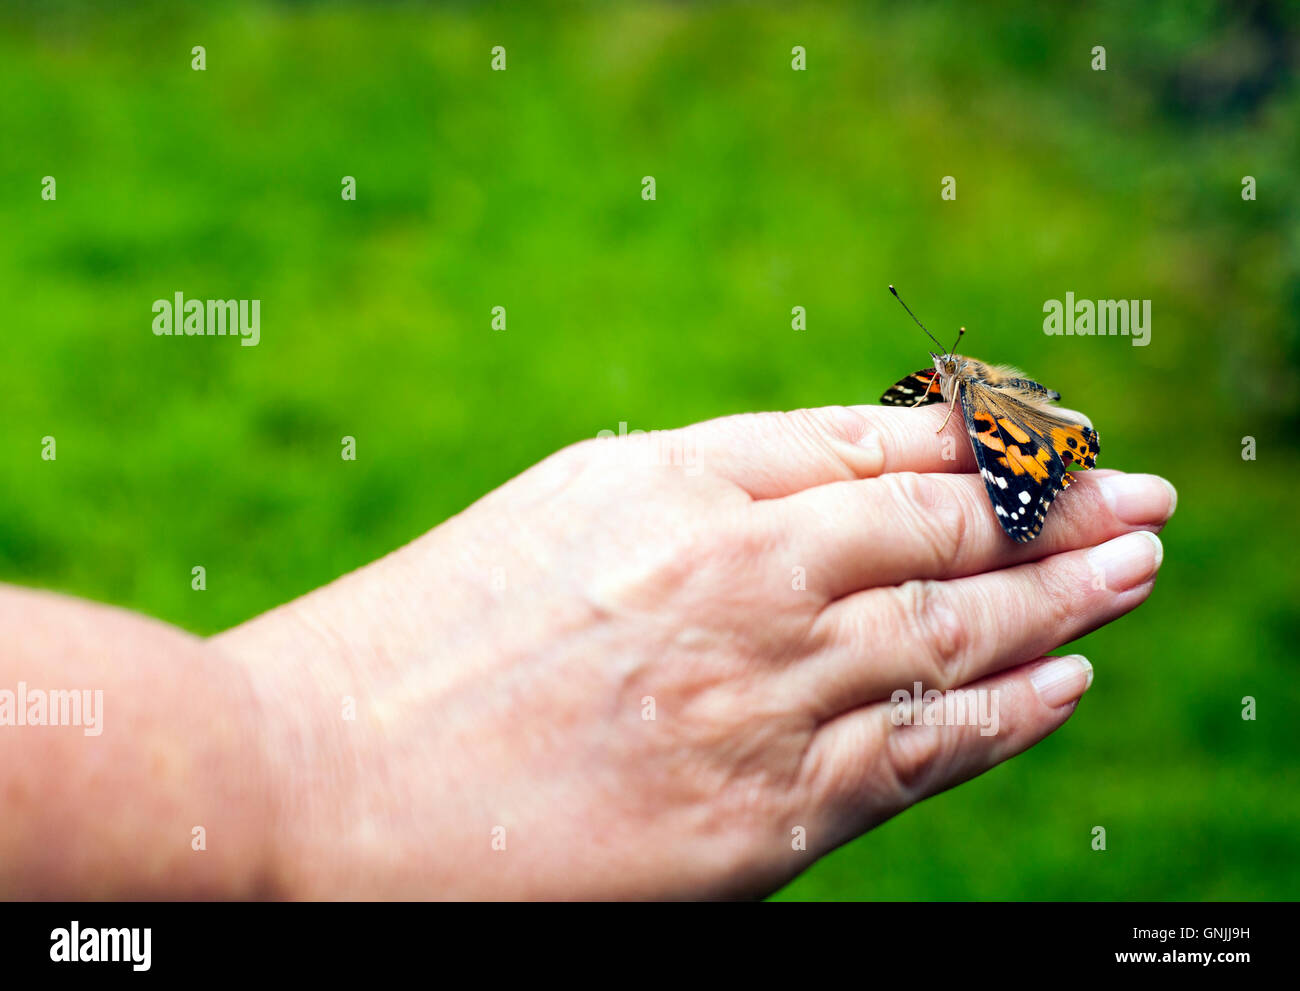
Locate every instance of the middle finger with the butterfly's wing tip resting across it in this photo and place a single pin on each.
(905, 526)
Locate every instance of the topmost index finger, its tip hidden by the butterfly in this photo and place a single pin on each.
(774, 455)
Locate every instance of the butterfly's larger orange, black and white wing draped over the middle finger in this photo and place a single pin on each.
(1024, 453)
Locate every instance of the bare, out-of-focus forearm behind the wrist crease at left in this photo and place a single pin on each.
(157, 791)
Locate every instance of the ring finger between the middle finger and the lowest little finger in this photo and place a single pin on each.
(946, 634)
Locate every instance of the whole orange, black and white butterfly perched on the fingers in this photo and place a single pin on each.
(1024, 445)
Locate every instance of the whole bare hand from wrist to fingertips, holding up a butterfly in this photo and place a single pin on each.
(666, 665)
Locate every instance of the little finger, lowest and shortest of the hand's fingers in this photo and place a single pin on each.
(870, 764)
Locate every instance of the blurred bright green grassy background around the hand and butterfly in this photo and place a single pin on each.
(775, 189)
